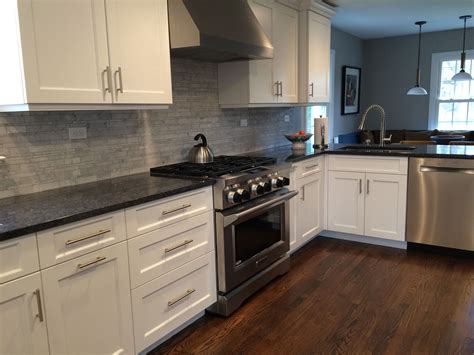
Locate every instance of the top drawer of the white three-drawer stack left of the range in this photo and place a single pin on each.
(157, 214)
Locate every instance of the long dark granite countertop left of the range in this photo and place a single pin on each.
(43, 210)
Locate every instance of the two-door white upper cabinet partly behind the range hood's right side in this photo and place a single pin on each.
(266, 82)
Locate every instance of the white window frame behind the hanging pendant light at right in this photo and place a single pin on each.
(436, 60)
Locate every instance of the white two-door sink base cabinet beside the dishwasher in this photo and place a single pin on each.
(367, 196)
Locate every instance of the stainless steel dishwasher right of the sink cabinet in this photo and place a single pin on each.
(441, 202)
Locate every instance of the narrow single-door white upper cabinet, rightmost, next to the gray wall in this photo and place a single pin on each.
(314, 59)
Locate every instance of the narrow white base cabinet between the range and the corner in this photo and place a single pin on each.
(307, 209)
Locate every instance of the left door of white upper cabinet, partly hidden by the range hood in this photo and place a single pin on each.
(261, 79)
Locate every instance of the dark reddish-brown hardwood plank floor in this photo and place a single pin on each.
(343, 297)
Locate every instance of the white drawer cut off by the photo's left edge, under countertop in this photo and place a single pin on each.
(18, 257)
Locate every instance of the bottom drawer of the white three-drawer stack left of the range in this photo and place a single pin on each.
(167, 302)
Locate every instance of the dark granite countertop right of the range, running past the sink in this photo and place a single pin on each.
(286, 154)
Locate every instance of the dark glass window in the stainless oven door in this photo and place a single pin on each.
(257, 234)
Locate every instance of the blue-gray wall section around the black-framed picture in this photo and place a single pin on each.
(348, 51)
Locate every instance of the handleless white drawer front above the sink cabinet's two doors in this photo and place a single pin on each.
(373, 164)
